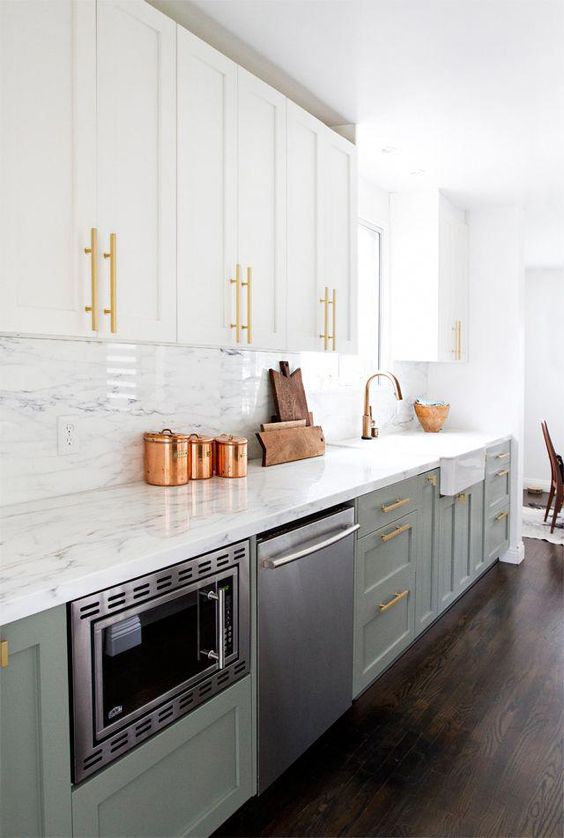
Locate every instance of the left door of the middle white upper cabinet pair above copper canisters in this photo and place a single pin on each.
(207, 191)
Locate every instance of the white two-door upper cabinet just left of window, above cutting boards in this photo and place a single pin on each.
(322, 264)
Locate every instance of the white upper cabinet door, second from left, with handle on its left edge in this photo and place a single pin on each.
(137, 167)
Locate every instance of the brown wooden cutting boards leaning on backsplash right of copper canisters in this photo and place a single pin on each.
(296, 437)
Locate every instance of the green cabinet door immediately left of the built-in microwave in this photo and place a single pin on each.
(35, 781)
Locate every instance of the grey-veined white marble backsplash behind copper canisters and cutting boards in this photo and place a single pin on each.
(116, 391)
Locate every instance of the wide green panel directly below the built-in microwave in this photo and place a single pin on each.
(185, 781)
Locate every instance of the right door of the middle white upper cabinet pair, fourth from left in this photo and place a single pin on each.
(261, 211)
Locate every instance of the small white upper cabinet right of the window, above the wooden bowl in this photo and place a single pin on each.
(429, 271)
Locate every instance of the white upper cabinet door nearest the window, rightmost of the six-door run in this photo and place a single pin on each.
(340, 241)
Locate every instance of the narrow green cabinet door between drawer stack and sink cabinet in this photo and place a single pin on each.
(427, 583)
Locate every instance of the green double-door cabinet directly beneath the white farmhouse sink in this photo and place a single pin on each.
(460, 542)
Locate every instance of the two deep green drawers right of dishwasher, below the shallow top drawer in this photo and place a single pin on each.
(384, 597)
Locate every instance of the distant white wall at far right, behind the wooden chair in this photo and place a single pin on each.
(544, 369)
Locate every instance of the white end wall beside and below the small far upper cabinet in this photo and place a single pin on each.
(488, 392)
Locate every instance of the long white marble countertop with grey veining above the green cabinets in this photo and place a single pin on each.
(62, 548)
